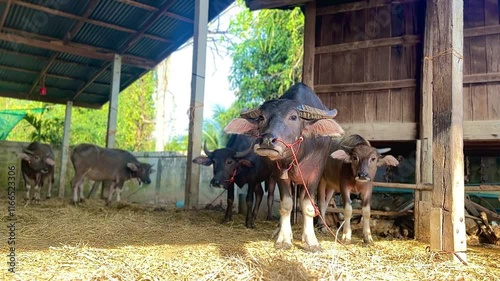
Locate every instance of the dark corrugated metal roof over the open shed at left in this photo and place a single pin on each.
(34, 31)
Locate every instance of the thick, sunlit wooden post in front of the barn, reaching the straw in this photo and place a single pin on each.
(447, 213)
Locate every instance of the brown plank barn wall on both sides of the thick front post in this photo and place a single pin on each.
(368, 59)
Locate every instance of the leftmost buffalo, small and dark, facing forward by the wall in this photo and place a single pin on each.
(37, 165)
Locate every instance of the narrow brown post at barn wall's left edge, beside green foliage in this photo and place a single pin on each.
(309, 44)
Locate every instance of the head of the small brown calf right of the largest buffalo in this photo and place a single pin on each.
(364, 160)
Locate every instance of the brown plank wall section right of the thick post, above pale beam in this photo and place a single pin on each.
(481, 60)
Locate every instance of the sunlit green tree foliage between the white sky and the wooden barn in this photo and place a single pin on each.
(268, 59)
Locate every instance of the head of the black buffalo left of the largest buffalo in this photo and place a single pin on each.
(225, 164)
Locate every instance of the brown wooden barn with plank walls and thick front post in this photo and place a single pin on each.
(412, 74)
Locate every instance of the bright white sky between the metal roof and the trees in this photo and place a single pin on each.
(217, 88)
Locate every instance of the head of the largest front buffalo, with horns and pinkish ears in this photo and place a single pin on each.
(284, 121)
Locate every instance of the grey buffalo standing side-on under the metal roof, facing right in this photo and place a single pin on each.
(106, 164)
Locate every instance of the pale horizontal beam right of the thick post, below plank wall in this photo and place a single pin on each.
(481, 130)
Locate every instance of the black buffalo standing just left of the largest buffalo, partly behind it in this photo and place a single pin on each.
(237, 163)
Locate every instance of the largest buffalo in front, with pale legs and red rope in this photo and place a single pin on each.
(294, 132)
